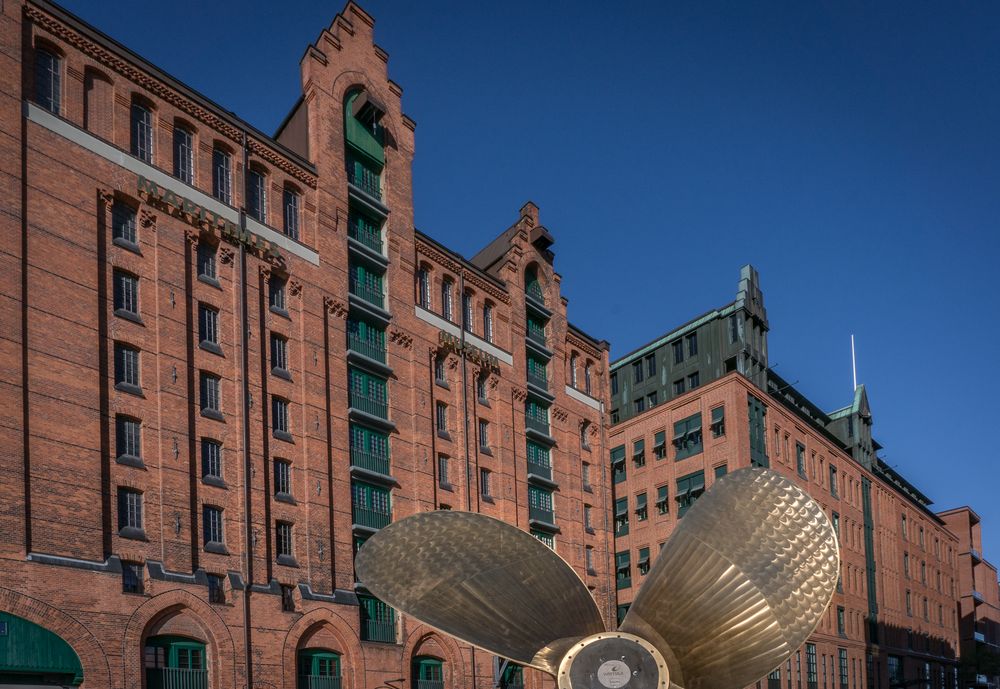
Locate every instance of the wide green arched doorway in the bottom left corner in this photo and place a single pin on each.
(32, 656)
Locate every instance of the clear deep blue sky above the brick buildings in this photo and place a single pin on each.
(849, 150)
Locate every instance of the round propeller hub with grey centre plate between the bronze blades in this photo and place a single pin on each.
(613, 660)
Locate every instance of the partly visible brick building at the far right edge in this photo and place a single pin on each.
(978, 602)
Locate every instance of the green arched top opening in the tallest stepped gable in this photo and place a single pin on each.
(365, 142)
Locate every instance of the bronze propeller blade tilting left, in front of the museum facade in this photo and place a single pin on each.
(483, 581)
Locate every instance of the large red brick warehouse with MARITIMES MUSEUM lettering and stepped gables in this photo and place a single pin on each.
(230, 358)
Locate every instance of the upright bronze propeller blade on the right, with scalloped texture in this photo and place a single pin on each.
(744, 579)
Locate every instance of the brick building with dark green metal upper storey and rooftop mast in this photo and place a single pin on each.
(700, 401)
